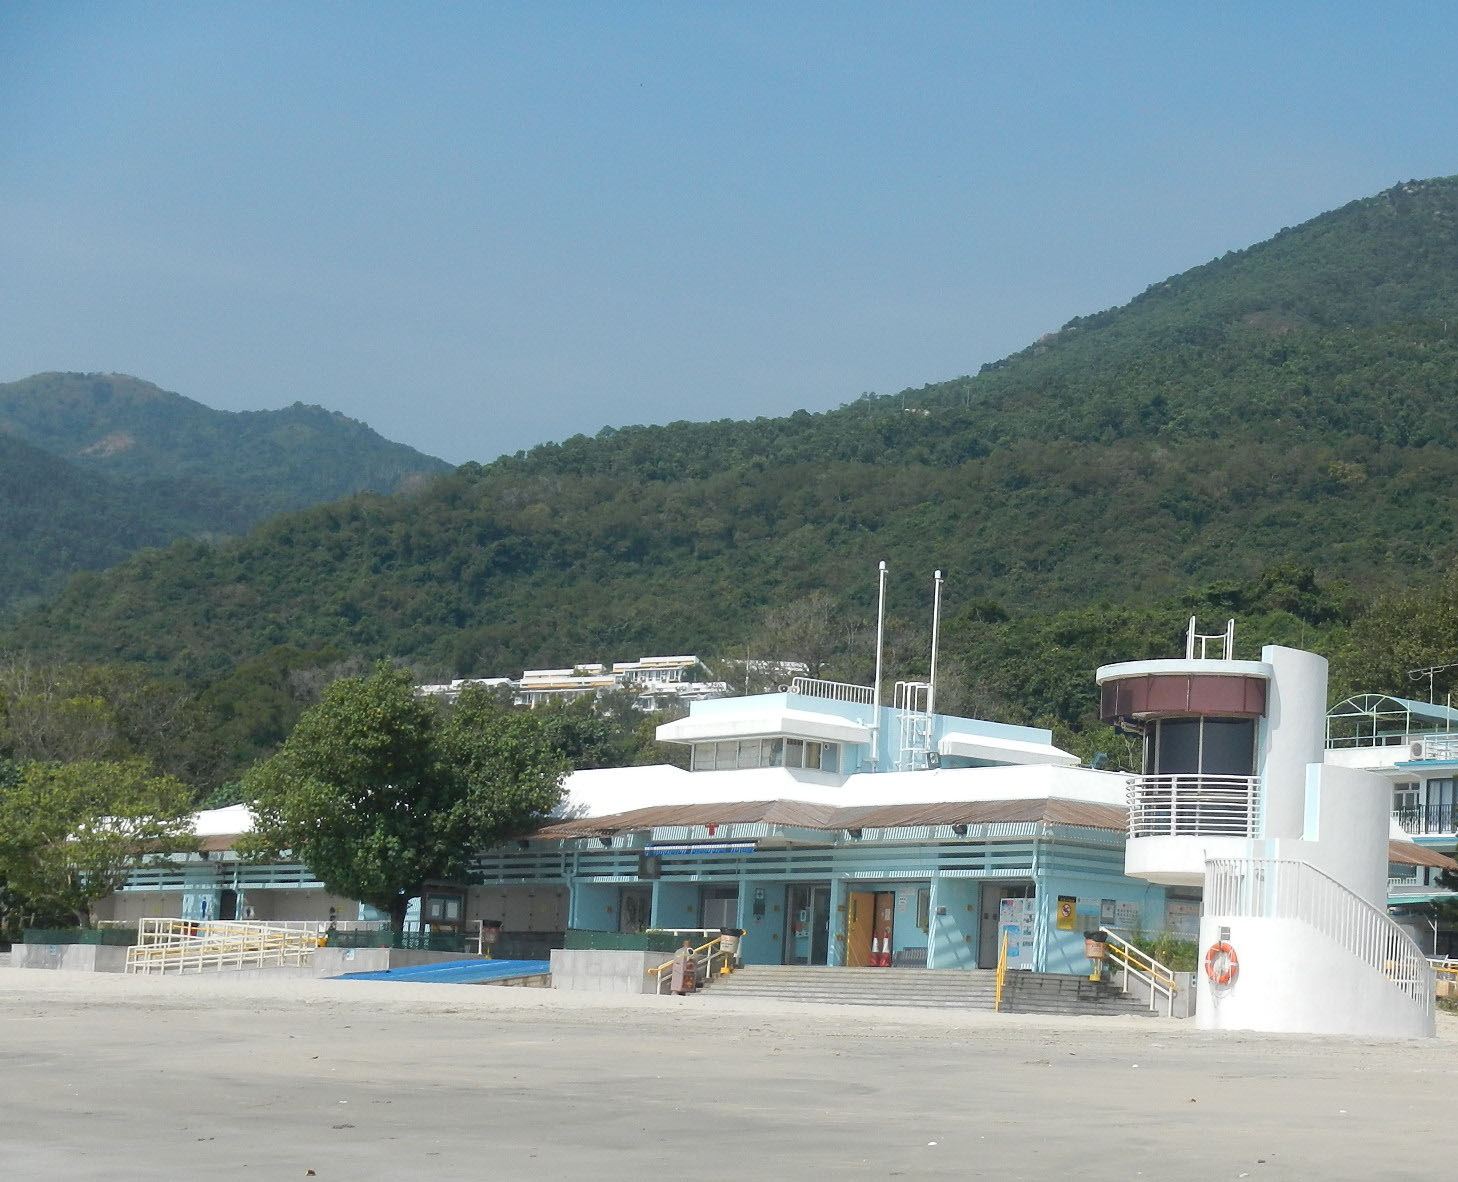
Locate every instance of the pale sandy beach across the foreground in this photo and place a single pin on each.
(114, 1078)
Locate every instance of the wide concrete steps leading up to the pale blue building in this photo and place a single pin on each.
(931, 989)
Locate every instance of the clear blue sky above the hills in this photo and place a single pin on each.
(483, 227)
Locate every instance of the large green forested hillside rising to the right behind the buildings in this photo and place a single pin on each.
(1293, 403)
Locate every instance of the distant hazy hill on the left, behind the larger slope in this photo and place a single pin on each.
(128, 466)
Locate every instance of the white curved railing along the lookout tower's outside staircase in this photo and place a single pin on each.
(1282, 890)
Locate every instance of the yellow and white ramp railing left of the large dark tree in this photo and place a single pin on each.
(208, 947)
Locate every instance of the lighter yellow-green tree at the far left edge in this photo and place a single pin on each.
(72, 833)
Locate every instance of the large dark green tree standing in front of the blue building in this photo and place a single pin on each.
(381, 794)
